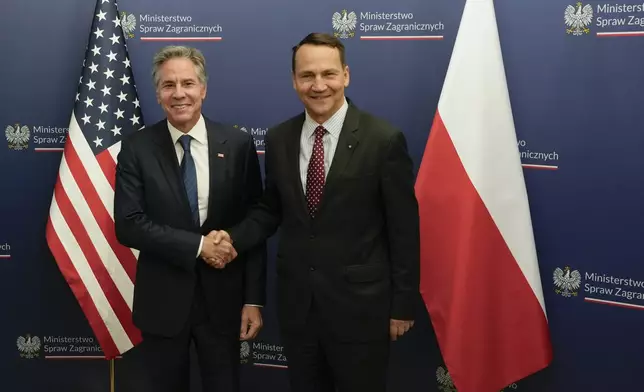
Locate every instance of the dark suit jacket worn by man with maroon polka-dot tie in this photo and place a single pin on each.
(359, 257)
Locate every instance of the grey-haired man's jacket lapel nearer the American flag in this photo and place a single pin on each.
(167, 156)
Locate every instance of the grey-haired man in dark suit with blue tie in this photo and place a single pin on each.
(176, 181)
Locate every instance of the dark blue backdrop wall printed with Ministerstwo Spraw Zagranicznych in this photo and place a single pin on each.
(577, 104)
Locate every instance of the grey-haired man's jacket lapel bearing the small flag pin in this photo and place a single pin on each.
(217, 153)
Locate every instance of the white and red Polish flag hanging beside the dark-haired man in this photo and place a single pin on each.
(479, 272)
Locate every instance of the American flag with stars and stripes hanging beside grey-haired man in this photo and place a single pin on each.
(80, 229)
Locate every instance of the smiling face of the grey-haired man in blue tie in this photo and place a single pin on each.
(180, 93)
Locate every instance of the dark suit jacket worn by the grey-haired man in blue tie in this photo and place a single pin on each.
(152, 214)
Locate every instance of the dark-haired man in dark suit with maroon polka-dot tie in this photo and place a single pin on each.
(340, 183)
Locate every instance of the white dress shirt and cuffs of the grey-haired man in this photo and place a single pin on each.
(199, 152)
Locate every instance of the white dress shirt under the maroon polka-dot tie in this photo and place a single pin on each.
(330, 140)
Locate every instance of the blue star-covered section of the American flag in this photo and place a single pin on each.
(107, 107)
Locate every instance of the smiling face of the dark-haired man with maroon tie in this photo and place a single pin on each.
(320, 79)
